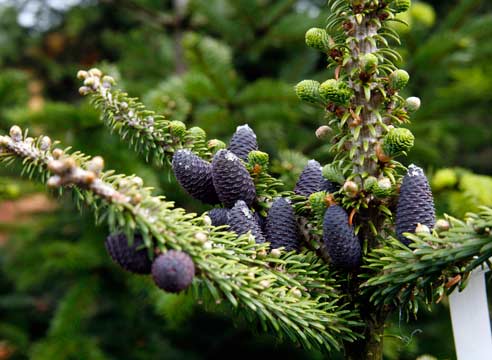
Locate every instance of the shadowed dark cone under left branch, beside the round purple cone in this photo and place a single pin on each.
(130, 258)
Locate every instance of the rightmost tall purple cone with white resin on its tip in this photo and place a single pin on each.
(415, 204)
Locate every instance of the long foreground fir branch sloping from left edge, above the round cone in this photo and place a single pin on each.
(292, 294)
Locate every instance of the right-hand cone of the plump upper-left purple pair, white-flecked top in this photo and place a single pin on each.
(231, 179)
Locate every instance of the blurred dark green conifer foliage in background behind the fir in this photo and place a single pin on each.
(216, 64)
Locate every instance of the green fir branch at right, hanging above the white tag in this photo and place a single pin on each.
(434, 264)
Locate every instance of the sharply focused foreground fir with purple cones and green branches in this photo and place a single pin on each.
(366, 224)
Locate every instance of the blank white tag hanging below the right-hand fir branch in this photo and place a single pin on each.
(471, 320)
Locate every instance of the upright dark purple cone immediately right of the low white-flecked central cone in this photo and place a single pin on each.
(281, 226)
